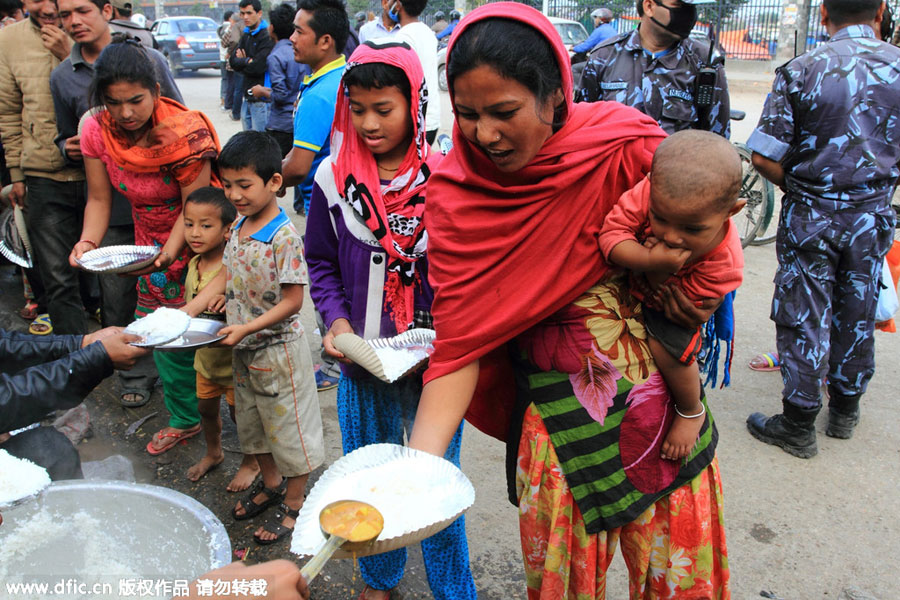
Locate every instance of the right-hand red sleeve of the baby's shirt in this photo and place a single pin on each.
(721, 271)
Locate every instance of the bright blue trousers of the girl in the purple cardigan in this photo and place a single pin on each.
(370, 412)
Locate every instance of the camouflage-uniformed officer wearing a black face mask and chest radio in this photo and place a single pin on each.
(654, 69)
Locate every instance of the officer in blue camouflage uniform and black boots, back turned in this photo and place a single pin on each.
(829, 137)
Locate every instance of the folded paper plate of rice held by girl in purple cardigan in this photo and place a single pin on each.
(388, 359)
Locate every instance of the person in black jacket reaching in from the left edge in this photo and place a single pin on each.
(40, 374)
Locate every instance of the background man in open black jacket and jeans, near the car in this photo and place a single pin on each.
(250, 61)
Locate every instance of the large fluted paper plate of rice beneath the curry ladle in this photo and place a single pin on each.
(417, 493)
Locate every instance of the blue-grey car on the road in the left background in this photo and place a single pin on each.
(188, 42)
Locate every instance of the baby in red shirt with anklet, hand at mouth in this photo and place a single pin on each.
(674, 229)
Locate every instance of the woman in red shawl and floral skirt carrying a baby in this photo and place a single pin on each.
(530, 349)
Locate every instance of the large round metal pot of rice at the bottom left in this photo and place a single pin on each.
(108, 539)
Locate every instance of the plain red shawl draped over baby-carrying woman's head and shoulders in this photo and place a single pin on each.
(507, 250)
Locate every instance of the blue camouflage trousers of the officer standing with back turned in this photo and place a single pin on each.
(826, 288)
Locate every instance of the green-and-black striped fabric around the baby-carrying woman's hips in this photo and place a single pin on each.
(589, 452)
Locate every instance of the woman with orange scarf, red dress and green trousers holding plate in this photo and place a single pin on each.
(155, 152)
